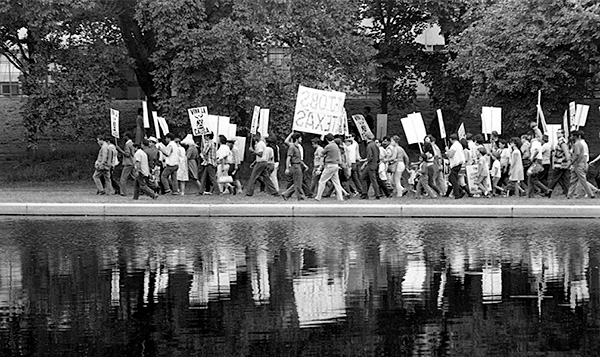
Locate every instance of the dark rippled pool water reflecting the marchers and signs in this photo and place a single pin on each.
(299, 287)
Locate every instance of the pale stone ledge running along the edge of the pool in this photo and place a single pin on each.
(299, 210)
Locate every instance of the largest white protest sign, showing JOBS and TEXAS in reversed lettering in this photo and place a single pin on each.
(318, 111)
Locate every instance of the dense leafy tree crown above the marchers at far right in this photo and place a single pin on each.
(519, 47)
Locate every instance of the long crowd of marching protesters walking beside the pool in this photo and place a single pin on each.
(527, 165)
